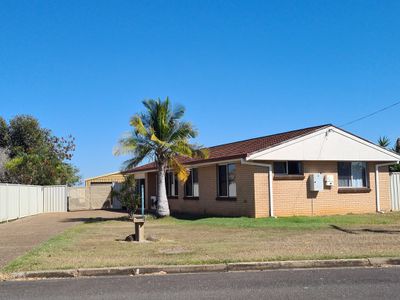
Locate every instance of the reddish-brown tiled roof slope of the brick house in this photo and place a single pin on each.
(240, 149)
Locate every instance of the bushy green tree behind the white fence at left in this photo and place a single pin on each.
(34, 155)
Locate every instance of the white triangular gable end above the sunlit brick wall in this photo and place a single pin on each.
(327, 144)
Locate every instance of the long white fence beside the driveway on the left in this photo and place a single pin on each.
(17, 201)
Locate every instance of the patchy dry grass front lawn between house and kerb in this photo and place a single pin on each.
(183, 240)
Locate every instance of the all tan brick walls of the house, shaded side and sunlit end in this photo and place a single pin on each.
(291, 197)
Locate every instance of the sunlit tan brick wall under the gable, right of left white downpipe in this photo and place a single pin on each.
(291, 197)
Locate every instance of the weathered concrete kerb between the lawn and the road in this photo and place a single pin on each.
(228, 267)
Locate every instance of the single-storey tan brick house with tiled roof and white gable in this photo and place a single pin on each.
(319, 170)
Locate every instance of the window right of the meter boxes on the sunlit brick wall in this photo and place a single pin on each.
(352, 174)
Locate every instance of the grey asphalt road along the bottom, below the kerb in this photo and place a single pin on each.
(357, 283)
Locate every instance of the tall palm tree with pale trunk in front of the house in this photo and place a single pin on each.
(160, 135)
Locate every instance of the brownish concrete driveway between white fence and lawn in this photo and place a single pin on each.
(19, 236)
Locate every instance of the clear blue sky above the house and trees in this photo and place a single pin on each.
(241, 68)
